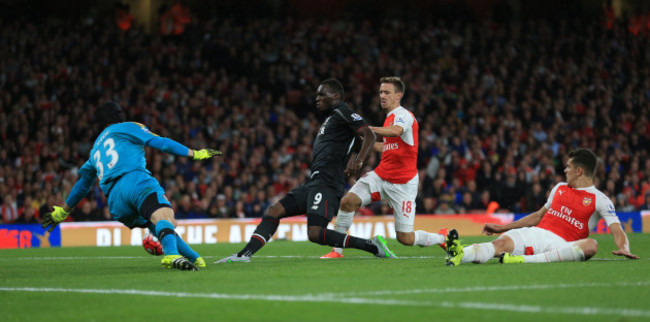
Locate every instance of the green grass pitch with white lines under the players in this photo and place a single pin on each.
(288, 282)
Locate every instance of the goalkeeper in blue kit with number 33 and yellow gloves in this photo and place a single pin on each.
(135, 198)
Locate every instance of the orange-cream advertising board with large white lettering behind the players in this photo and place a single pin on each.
(212, 231)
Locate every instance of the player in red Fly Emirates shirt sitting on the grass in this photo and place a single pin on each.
(557, 232)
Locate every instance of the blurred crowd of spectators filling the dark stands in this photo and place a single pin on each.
(500, 104)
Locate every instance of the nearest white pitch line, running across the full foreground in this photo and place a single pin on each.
(353, 300)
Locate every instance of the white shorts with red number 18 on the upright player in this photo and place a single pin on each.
(400, 197)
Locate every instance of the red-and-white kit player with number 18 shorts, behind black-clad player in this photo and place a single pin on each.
(396, 177)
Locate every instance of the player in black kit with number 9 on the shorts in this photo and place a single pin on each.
(320, 195)
